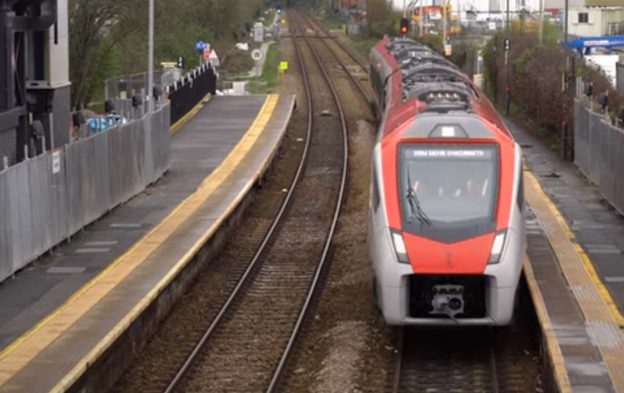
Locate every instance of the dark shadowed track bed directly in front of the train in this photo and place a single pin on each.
(486, 360)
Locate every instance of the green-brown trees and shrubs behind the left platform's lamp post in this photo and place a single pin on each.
(109, 37)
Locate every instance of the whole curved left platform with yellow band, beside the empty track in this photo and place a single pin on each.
(62, 315)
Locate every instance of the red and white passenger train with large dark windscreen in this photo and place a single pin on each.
(446, 227)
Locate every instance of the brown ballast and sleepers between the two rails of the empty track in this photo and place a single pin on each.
(245, 348)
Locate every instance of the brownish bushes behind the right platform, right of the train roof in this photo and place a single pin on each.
(537, 77)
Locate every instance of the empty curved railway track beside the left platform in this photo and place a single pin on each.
(237, 335)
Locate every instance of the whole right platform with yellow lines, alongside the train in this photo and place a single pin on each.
(574, 271)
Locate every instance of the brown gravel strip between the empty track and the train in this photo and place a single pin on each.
(345, 347)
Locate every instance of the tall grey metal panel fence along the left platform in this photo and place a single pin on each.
(46, 199)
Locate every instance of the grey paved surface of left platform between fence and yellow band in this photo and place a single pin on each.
(197, 148)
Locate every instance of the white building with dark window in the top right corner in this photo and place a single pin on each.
(596, 21)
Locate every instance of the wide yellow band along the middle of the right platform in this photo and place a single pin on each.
(602, 317)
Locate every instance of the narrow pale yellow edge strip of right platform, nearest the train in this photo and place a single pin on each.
(562, 380)
